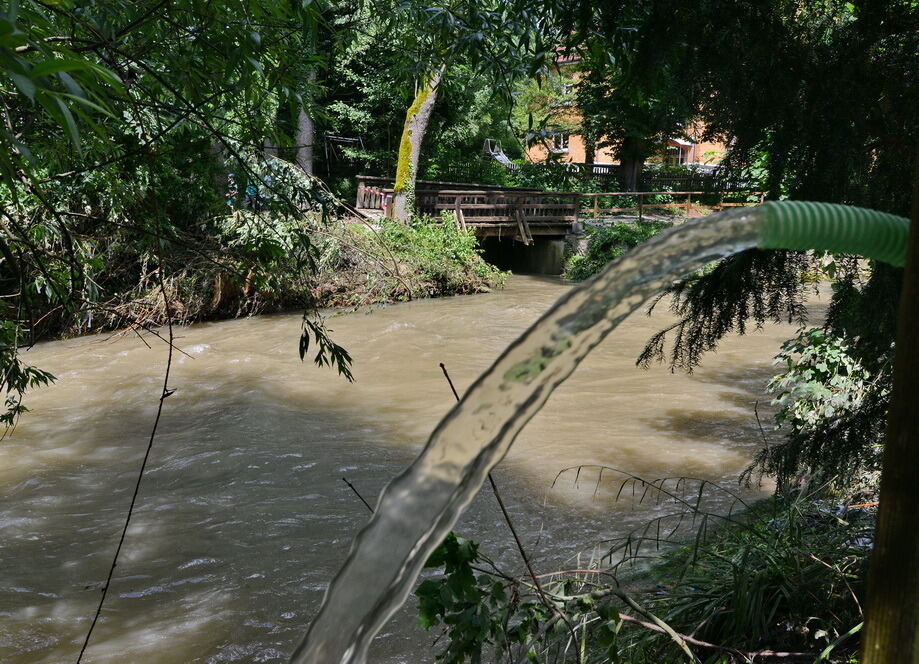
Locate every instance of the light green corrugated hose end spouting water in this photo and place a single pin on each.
(838, 228)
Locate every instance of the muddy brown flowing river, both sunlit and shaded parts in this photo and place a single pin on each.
(243, 516)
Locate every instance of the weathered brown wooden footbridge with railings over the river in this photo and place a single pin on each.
(525, 214)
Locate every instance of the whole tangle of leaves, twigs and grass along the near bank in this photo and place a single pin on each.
(786, 574)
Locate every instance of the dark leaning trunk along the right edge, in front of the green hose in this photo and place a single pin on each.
(892, 607)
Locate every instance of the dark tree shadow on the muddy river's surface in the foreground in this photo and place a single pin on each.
(241, 522)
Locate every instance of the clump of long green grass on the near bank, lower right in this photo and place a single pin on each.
(788, 577)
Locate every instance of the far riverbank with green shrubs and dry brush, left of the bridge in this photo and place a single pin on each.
(346, 263)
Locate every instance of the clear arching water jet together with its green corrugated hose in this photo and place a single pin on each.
(419, 507)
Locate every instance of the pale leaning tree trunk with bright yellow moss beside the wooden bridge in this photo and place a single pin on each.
(416, 123)
